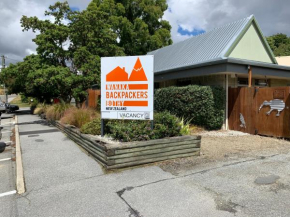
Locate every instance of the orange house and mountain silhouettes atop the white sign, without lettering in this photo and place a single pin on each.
(120, 75)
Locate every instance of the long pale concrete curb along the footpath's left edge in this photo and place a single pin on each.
(20, 186)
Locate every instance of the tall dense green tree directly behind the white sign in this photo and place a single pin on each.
(92, 38)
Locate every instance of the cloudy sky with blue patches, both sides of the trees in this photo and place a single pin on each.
(187, 18)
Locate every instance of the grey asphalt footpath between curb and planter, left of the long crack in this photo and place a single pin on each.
(61, 180)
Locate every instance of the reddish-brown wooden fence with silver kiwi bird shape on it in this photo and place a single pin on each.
(252, 106)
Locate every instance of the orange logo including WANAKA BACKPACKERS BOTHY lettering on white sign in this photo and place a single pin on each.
(124, 95)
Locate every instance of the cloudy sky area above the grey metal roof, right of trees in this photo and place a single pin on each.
(273, 16)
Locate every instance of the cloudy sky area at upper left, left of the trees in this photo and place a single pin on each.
(14, 43)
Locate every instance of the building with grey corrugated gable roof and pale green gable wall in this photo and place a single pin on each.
(233, 55)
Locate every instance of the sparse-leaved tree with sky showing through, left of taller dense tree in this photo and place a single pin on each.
(53, 38)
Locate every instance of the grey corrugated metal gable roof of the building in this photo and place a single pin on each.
(211, 46)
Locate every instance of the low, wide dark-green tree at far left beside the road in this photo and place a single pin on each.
(36, 79)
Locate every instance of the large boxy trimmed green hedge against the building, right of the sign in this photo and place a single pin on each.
(202, 105)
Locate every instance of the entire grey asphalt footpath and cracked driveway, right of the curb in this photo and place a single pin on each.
(61, 180)
